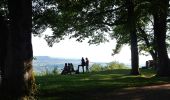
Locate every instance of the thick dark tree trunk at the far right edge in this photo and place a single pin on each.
(160, 16)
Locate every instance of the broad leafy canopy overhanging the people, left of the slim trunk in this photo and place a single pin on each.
(76, 18)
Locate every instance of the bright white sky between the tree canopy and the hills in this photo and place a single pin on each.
(69, 48)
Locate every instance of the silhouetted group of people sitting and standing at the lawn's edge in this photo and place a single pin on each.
(69, 68)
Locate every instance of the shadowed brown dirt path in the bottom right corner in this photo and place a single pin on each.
(155, 92)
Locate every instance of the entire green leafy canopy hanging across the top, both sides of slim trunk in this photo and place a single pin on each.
(94, 19)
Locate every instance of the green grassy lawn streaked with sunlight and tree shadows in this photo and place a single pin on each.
(90, 86)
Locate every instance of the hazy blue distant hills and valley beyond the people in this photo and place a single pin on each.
(44, 63)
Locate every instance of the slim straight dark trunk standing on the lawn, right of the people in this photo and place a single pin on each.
(133, 36)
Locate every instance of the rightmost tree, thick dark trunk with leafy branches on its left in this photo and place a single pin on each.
(157, 45)
